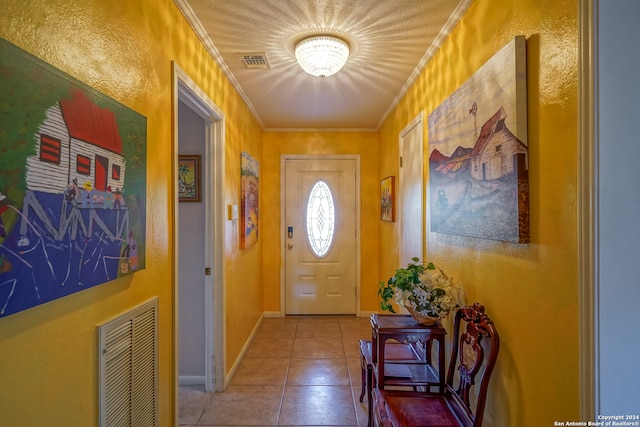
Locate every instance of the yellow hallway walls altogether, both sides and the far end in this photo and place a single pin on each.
(47, 354)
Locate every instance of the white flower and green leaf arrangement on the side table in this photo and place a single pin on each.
(421, 288)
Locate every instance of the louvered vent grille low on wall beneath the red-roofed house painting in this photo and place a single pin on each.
(129, 368)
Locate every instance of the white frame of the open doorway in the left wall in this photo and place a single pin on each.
(186, 90)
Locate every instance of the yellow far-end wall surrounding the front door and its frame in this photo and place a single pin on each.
(277, 143)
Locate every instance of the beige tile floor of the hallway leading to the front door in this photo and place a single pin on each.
(298, 371)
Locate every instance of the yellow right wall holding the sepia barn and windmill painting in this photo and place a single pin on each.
(530, 290)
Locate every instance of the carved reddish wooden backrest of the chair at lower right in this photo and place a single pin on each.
(468, 358)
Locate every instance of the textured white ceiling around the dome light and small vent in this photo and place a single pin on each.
(390, 42)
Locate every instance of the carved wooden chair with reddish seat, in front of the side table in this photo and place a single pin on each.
(453, 408)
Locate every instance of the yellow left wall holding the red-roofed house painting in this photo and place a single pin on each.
(124, 49)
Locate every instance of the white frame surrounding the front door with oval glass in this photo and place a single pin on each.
(283, 159)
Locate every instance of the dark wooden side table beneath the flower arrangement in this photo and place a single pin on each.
(412, 373)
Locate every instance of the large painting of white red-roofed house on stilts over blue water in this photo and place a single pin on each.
(72, 185)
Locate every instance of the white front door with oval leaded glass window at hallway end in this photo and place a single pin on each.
(320, 236)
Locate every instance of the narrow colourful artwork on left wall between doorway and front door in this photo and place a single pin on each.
(249, 198)
